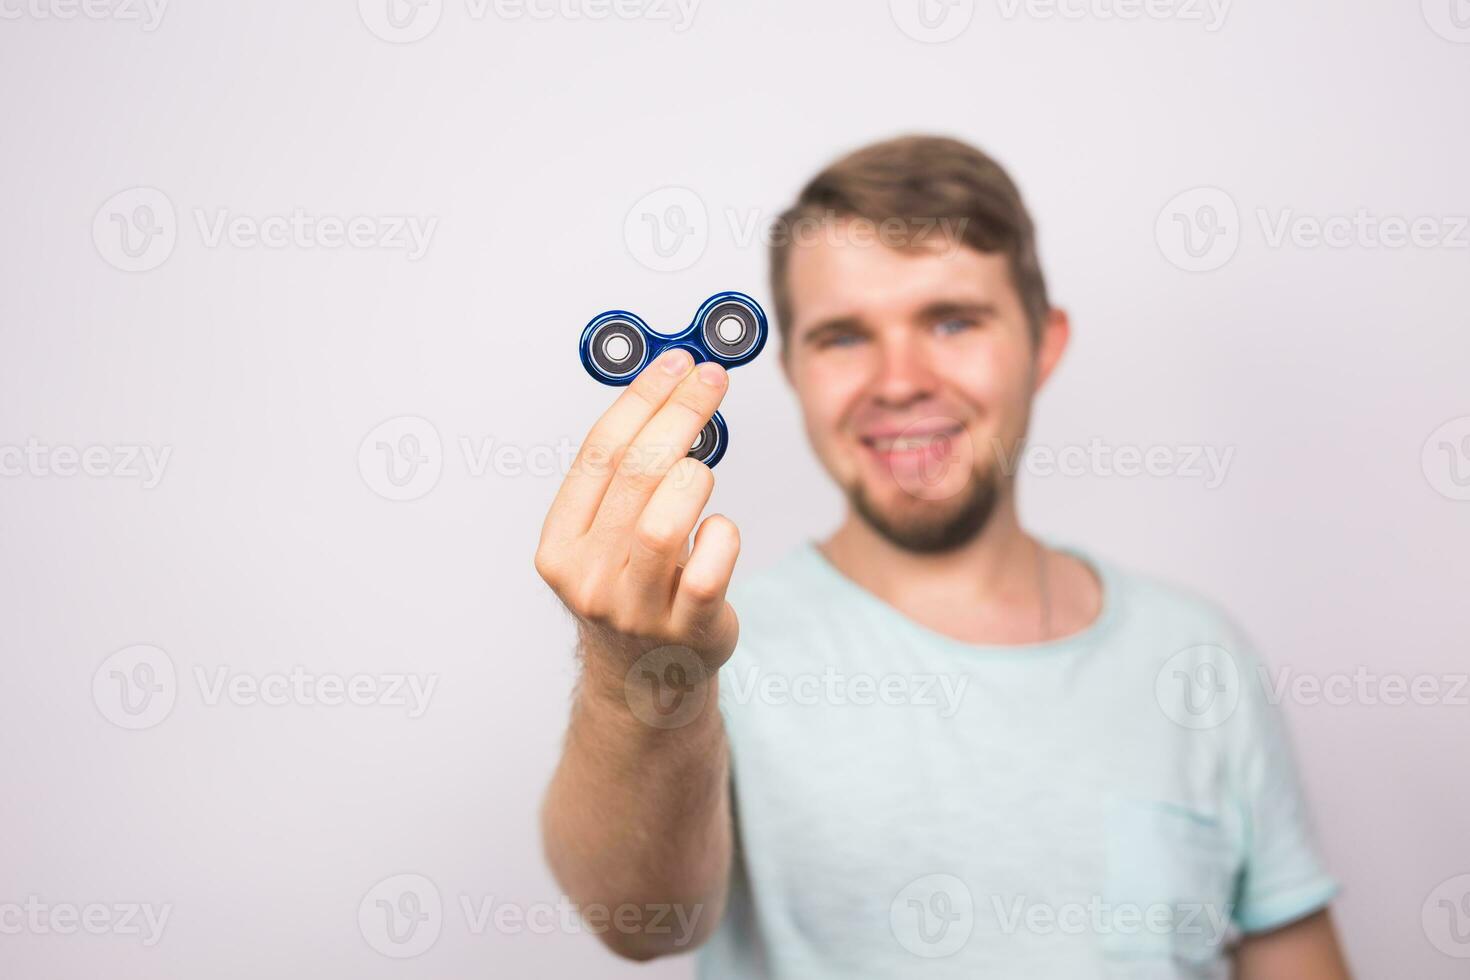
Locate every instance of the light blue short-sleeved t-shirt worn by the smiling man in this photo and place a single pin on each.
(1121, 803)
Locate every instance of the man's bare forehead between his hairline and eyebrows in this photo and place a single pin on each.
(839, 277)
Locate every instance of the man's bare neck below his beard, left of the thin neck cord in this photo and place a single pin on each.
(997, 566)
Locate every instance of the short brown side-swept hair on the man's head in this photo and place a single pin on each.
(933, 187)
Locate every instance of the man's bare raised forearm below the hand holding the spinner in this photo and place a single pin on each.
(640, 816)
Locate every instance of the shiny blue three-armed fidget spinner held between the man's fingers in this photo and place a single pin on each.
(730, 330)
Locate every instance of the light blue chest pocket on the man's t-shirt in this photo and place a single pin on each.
(1169, 885)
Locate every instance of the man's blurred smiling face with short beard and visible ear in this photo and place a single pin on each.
(915, 372)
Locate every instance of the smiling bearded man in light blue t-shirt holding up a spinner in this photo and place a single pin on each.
(1011, 760)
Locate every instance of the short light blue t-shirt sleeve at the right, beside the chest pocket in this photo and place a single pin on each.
(1284, 878)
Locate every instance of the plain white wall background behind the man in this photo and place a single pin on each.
(533, 142)
